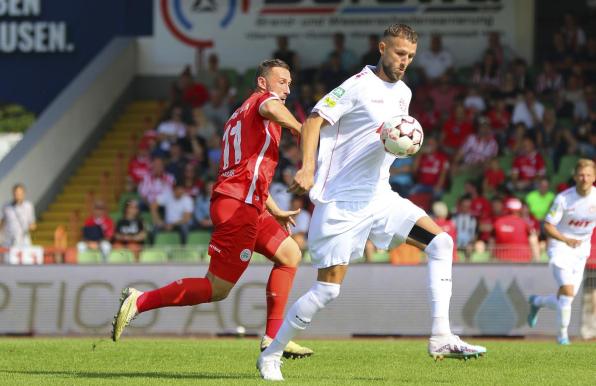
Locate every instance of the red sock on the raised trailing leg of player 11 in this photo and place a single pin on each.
(183, 292)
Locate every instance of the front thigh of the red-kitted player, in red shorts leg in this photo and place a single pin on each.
(275, 243)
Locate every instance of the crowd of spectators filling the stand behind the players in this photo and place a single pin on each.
(501, 137)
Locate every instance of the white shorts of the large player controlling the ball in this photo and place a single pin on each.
(339, 229)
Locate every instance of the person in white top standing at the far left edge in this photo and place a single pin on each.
(17, 219)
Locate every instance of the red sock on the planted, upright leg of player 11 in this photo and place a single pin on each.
(278, 291)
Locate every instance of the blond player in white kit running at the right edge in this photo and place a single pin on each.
(569, 225)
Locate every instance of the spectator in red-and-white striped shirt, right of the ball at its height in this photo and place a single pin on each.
(477, 150)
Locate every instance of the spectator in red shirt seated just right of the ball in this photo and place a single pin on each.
(430, 168)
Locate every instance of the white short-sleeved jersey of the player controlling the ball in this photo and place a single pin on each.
(352, 164)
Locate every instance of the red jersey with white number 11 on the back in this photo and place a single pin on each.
(249, 153)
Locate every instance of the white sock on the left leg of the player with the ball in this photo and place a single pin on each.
(300, 315)
